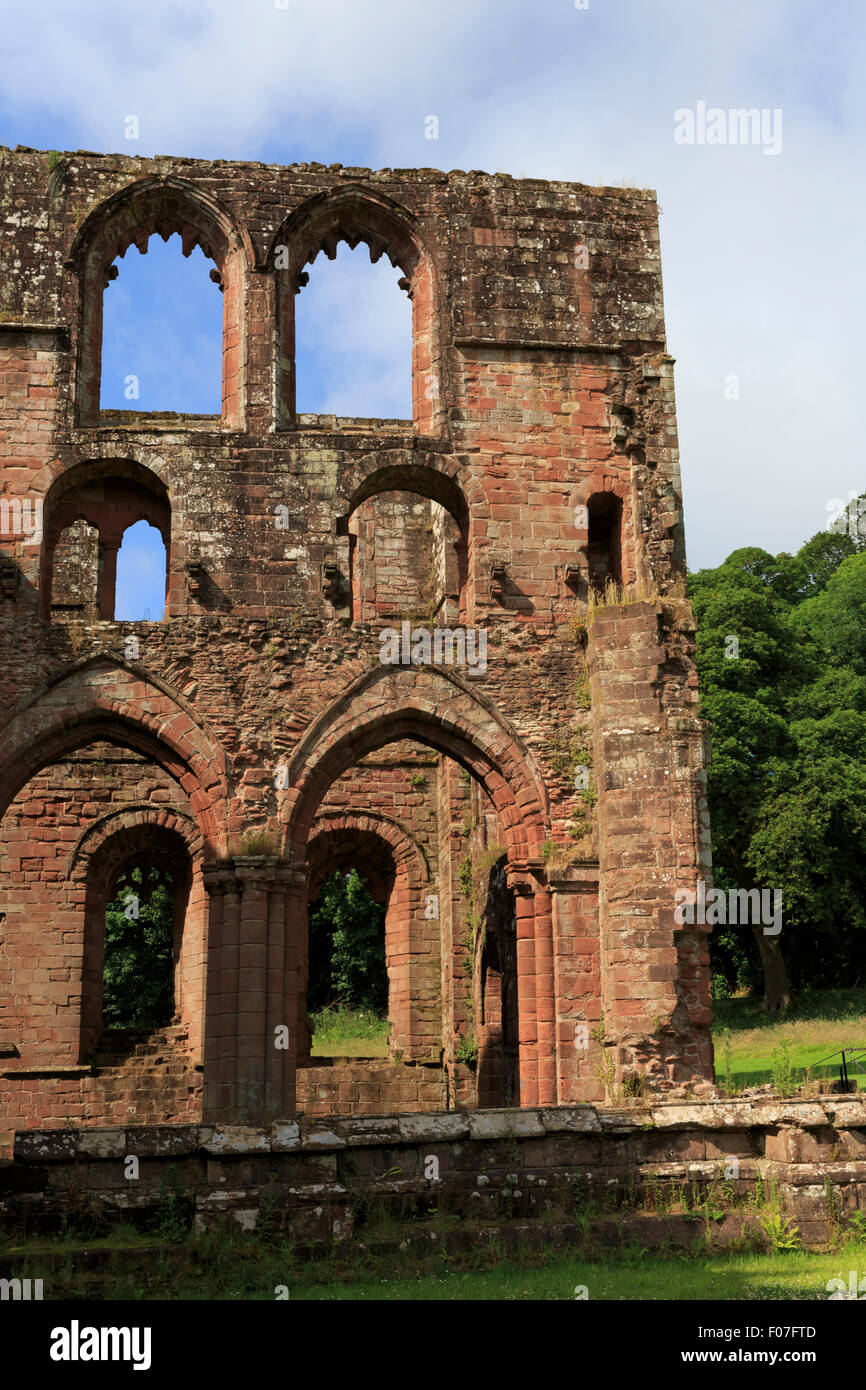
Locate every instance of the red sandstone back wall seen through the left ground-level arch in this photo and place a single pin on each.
(49, 986)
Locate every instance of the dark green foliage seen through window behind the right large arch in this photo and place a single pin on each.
(347, 947)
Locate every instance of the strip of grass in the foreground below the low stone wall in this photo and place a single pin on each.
(243, 1270)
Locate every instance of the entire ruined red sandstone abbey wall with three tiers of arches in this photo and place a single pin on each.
(525, 796)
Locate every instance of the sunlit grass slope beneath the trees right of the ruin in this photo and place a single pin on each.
(819, 1024)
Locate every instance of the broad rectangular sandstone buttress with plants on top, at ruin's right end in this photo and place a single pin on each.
(654, 839)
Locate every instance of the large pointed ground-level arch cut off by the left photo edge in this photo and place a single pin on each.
(94, 787)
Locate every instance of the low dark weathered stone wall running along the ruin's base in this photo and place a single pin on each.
(320, 1179)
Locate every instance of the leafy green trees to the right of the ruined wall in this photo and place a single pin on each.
(787, 782)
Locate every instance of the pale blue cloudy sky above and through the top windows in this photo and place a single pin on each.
(762, 255)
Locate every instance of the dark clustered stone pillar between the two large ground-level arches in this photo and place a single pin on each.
(251, 1011)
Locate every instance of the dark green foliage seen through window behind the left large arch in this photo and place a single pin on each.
(138, 974)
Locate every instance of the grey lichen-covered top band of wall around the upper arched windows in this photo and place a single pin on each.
(522, 262)
